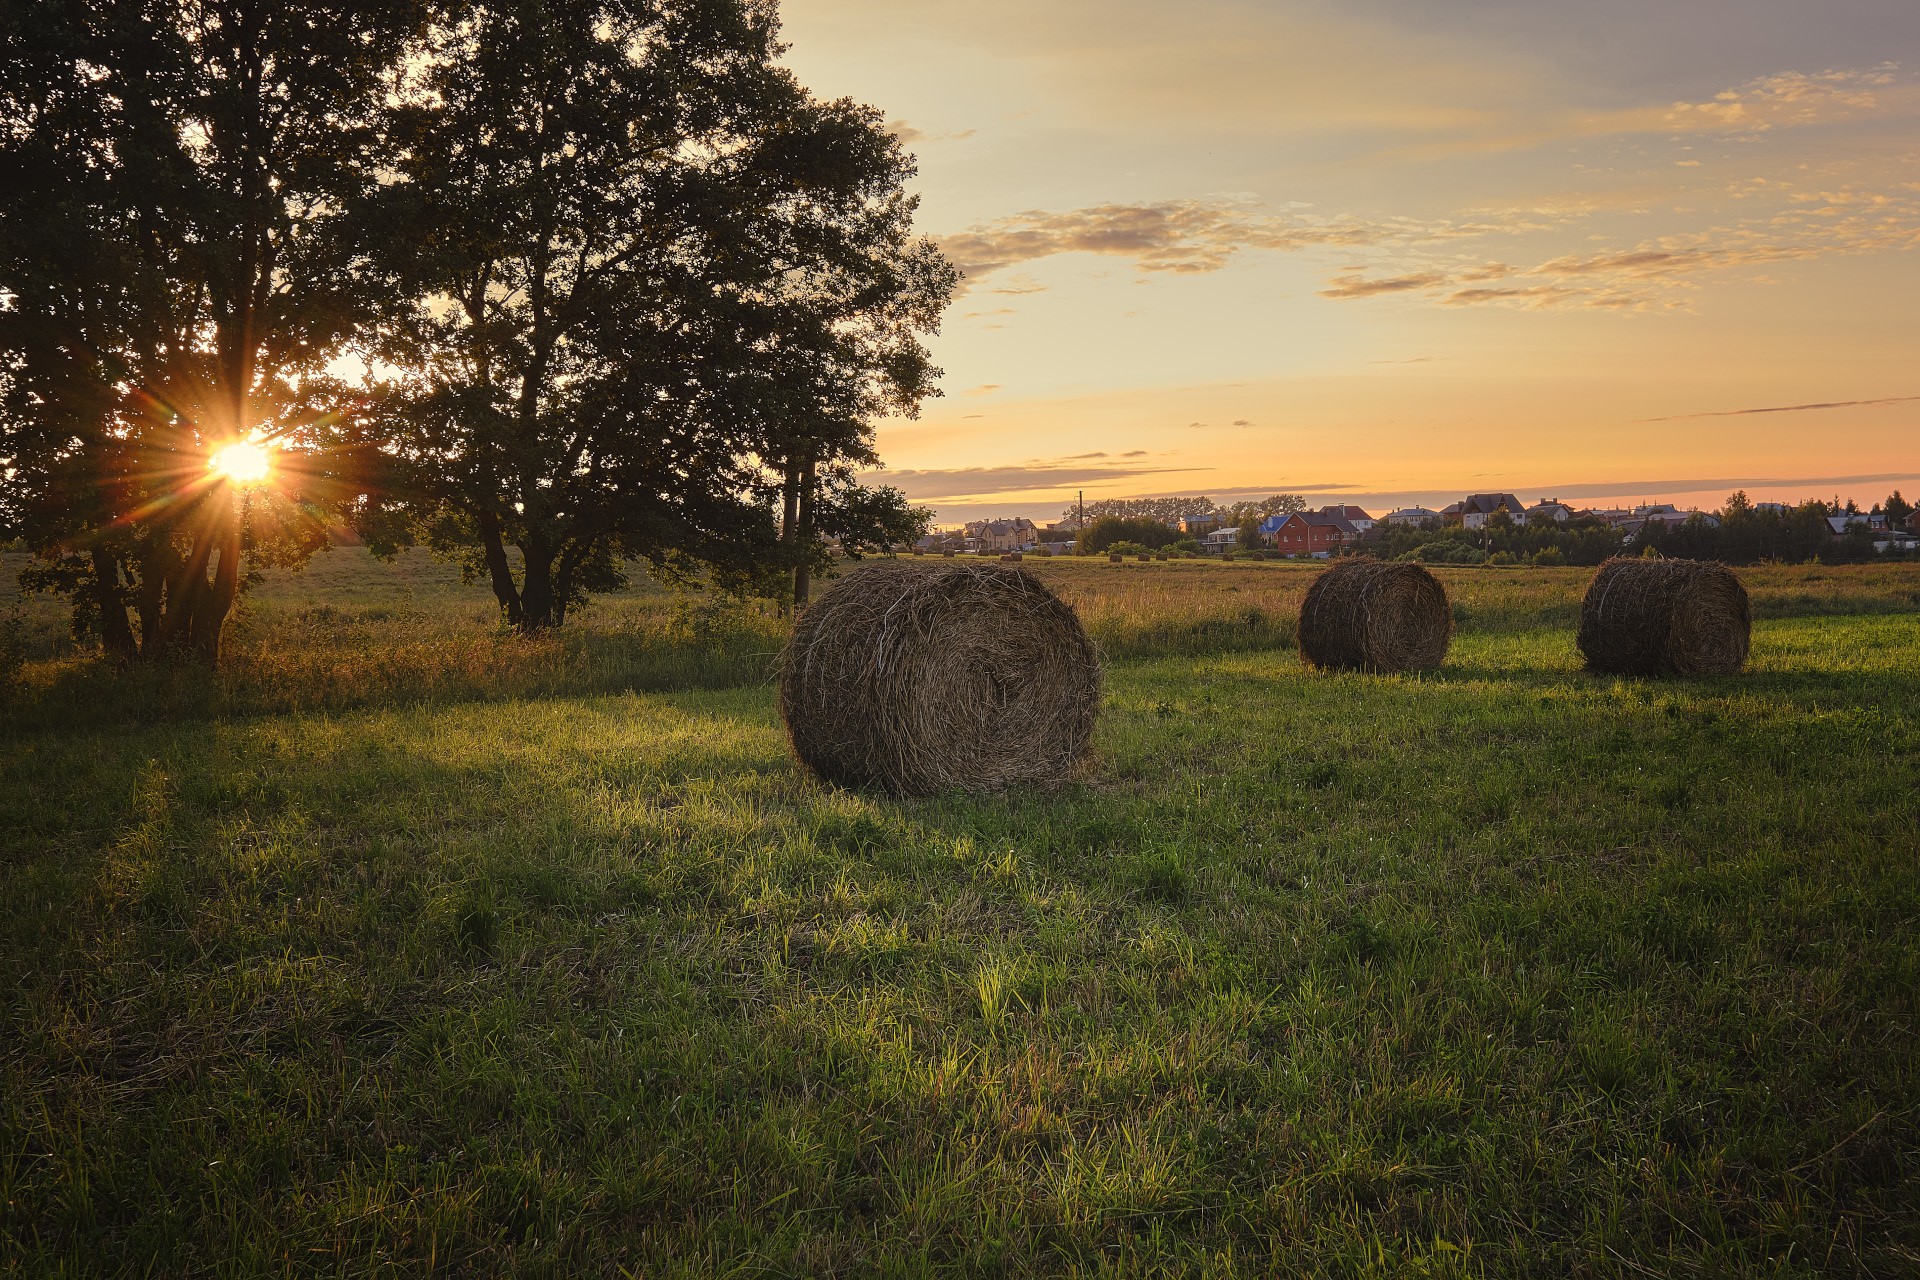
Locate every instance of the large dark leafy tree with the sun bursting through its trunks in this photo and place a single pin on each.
(178, 183)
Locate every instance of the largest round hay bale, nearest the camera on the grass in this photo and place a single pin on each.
(919, 680)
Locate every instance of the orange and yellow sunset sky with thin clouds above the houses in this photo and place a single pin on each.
(1393, 252)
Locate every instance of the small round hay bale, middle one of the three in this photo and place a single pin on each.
(1376, 617)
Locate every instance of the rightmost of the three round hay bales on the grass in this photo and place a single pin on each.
(1666, 619)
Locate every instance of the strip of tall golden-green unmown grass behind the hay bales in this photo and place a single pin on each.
(354, 632)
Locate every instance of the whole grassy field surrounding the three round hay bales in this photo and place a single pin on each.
(406, 947)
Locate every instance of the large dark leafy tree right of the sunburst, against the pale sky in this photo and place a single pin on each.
(656, 285)
